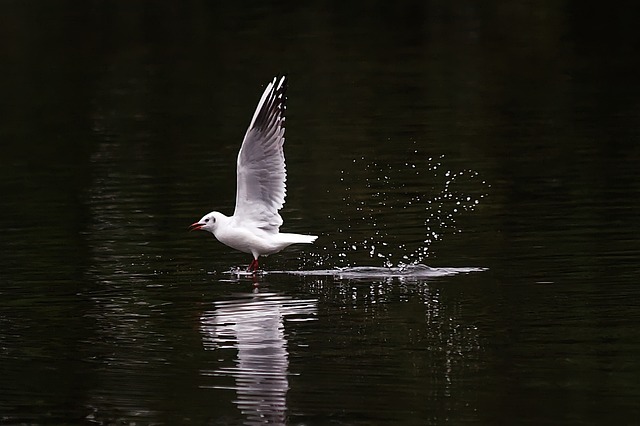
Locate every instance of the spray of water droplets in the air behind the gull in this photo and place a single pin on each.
(423, 193)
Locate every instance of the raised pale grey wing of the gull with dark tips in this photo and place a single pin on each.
(261, 168)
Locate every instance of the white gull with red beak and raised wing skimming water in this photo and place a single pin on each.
(255, 225)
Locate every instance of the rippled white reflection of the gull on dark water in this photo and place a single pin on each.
(254, 325)
